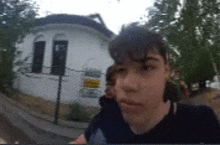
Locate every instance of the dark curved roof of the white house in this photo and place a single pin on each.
(75, 19)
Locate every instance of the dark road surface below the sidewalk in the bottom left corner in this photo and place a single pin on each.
(12, 134)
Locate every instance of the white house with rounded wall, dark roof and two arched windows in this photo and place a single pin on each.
(80, 44)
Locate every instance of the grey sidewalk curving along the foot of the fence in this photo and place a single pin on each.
(64, 128)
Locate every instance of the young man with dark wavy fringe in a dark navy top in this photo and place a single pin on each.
(139, 112)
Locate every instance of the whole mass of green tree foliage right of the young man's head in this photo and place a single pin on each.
(193, 31)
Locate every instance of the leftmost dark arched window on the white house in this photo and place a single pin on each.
(39, 47)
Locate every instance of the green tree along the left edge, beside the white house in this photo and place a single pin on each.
(16, 19)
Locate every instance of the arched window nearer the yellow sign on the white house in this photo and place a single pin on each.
(60, 44)
